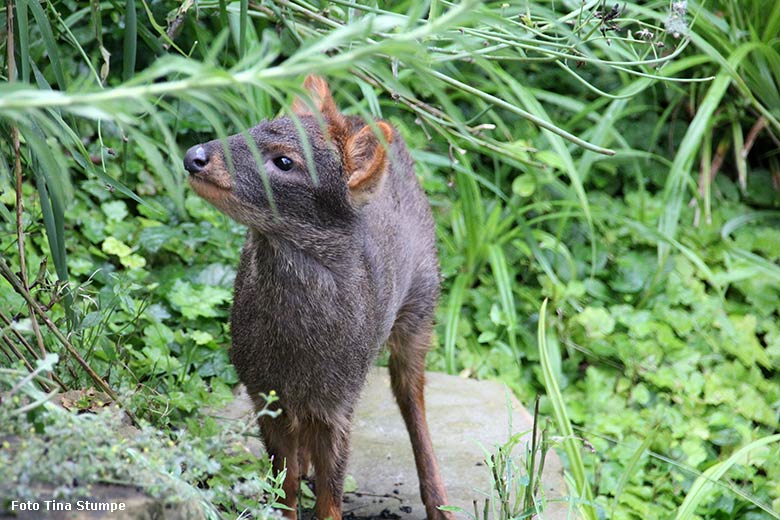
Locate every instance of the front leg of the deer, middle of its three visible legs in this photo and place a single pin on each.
(327, 442)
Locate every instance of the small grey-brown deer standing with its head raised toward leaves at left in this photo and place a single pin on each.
(337, 263)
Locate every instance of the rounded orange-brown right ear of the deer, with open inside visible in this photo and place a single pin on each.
(366, 161)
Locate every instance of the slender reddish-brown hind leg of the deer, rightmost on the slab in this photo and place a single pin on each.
(408, 345)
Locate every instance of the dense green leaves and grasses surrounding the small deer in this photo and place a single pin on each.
(637, 293)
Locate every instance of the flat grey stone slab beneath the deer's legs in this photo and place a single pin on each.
(465, 418)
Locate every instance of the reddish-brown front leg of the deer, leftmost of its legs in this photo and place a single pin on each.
(280, 437)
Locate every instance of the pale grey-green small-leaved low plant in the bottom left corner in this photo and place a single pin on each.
(204, 467)
